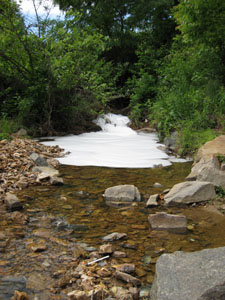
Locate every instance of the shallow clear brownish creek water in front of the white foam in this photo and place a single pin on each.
(76, 212)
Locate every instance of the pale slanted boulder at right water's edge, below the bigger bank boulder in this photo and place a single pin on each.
(190, 192)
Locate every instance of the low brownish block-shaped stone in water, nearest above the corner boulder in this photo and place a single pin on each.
(163, 221)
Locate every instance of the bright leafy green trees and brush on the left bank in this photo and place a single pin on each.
(53, 77)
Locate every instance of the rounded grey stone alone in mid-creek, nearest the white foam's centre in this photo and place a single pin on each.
(122, 193)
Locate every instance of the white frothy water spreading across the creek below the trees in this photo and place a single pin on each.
(116, 145)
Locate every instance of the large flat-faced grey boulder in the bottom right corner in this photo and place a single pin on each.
(189, 276)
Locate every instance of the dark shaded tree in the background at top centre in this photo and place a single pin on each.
(123, 22)
